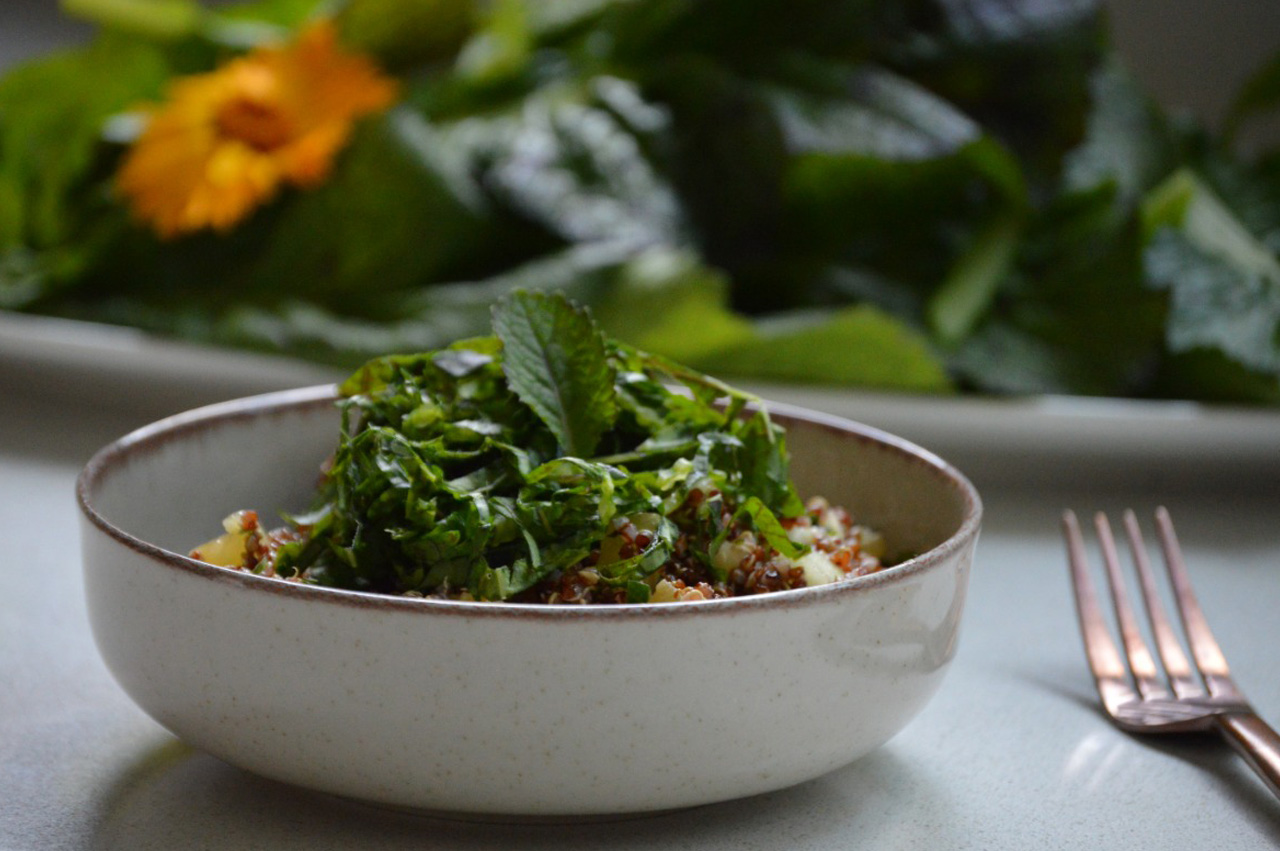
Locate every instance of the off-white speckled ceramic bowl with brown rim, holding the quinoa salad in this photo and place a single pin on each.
(505, 710)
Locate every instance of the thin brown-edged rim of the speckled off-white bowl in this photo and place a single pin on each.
(153, 438)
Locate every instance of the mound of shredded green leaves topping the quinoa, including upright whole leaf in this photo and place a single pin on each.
(491, 465)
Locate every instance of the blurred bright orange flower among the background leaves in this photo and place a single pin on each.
(225, 143)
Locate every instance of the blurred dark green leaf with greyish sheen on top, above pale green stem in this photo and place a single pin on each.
(886, 176)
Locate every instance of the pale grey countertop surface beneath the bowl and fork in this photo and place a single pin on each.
(1012, 754)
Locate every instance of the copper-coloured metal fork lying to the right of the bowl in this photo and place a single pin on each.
(1136, 696)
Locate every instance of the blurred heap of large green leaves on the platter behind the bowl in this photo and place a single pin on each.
(921, 195)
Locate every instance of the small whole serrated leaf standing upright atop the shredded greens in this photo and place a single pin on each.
(556, 362)
